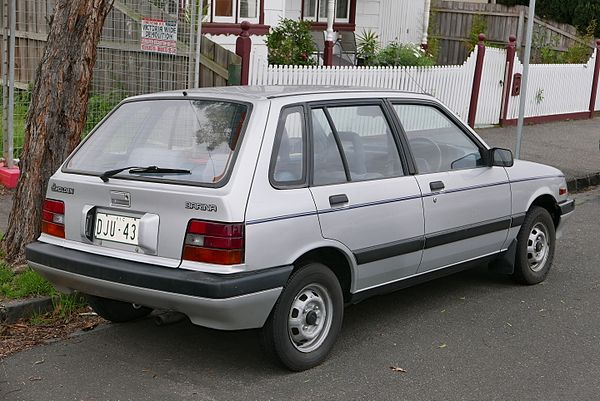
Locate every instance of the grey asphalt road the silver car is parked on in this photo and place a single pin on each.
(471, 336)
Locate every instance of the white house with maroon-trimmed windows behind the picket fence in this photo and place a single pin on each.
(400, 20)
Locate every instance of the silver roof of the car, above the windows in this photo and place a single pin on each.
(277, 91)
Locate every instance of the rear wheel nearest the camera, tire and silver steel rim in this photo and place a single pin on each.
(306, 319)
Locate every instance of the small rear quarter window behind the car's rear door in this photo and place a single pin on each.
(288, 162)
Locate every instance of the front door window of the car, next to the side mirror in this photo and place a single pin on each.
(435, 141)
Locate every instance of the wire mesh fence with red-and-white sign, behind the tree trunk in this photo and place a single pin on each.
(146, 46)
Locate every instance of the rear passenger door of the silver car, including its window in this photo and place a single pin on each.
(363, 197)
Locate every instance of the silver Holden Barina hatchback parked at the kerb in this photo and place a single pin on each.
(274, 207)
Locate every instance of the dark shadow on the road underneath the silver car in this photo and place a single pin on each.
(239, 353)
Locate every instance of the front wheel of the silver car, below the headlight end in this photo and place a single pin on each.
(535, 247)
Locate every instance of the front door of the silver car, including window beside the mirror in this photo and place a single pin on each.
(467, 205)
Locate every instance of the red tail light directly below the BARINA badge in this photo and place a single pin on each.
(217, 243)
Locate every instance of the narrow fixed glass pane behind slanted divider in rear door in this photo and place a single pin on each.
(328, 165)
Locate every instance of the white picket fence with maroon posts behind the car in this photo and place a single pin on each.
(553, 88)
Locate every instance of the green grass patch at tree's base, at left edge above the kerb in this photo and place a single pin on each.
(22, 285)
